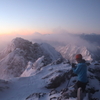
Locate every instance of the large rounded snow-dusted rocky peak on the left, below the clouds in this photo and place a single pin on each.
(14, 58)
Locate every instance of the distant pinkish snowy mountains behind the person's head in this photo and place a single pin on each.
(69, 51)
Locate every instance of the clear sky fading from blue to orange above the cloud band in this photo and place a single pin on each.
(49, 16)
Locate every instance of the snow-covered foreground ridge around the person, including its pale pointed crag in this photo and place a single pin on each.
(32, 84)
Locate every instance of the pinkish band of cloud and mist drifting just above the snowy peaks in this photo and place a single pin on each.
(59, 38)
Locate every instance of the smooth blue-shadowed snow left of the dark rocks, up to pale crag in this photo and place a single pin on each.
(31, 81)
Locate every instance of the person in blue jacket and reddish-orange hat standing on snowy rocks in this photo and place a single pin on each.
(81, 71)
